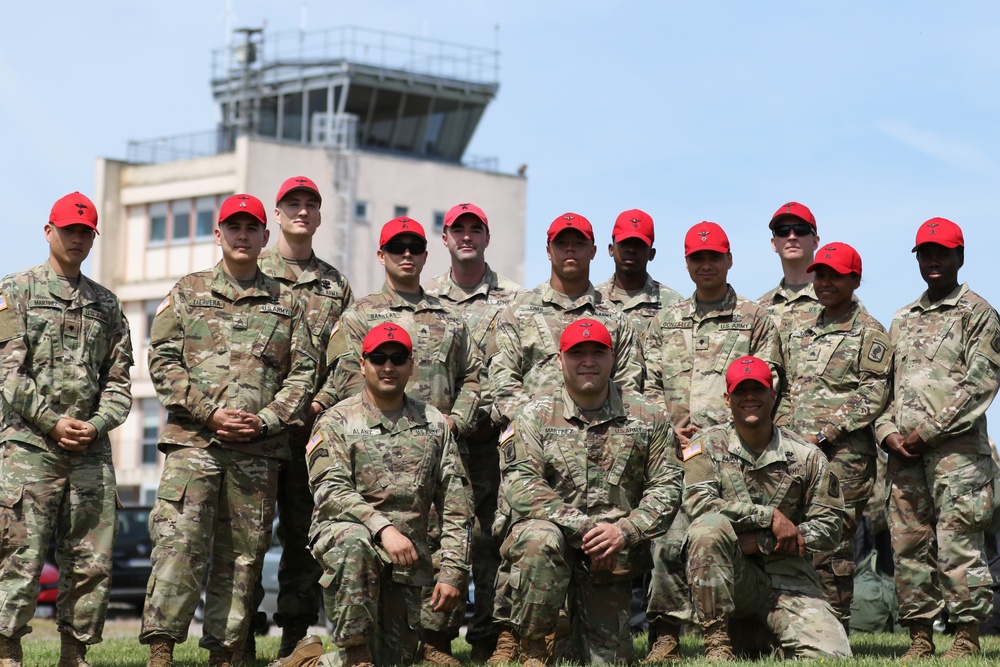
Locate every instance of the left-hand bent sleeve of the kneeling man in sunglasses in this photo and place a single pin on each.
(331, 478)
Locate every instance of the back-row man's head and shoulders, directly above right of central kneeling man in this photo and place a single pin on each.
(631, 288)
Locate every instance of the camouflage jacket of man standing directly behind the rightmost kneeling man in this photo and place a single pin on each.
(687, 355)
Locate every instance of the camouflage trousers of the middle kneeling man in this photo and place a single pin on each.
(543, 572)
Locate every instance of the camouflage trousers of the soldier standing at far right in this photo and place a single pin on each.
(939, 506)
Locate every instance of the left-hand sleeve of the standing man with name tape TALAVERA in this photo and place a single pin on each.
(167, 368)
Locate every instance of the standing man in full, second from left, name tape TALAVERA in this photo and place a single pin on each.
(234, 366)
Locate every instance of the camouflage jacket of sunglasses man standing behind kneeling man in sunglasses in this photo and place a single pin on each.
(447, 363)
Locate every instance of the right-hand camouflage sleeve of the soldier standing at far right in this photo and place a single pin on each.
(973, 393)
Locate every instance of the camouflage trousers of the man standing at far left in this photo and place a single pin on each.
(70, 495)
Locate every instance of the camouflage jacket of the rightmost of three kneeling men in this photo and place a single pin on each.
(722, 475)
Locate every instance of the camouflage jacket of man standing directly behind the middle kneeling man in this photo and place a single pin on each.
(527, 345)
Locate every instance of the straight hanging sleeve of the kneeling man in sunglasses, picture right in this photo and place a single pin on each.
(453, 499)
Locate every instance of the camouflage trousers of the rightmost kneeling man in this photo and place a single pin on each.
(726, 584)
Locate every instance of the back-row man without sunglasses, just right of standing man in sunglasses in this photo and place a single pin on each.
(480, 294)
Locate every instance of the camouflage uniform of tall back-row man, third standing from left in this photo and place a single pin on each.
(326, 294)
